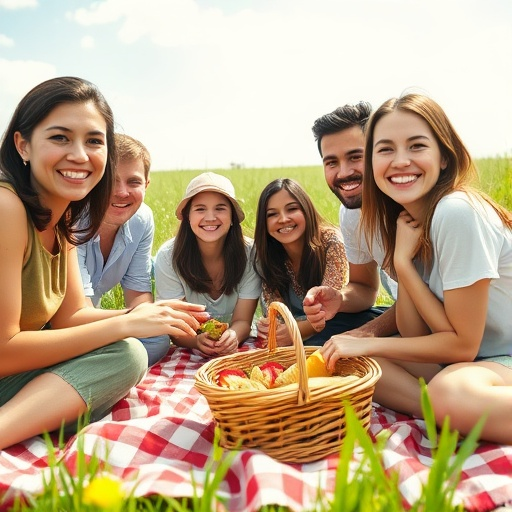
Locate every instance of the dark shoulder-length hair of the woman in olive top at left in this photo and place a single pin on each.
(82, 218)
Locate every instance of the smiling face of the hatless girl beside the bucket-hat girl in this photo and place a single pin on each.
(285, 219)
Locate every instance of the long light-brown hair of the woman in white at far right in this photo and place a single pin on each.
(380, 212)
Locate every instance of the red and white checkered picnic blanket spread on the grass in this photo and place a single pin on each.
(162, 433)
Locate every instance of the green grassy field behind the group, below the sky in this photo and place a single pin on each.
(167, 188)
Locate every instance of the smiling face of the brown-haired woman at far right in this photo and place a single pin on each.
(406, 159)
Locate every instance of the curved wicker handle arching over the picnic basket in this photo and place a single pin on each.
(300, 353)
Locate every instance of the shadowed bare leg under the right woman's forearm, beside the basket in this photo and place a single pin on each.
(399, 387)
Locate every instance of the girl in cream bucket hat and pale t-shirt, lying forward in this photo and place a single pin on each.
(209, 262)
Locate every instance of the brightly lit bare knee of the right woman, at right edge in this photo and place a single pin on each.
(466, 391)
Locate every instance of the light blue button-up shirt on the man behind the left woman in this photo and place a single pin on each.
(129, 262)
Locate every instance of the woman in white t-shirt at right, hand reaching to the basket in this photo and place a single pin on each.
(451, 249)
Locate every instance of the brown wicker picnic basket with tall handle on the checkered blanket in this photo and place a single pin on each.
(297, 425)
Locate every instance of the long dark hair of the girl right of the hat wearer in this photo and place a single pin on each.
(271, 255)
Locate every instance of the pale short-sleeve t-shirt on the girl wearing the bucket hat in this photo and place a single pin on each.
(170, 285)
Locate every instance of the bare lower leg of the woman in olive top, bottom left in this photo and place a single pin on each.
(41, 406)
